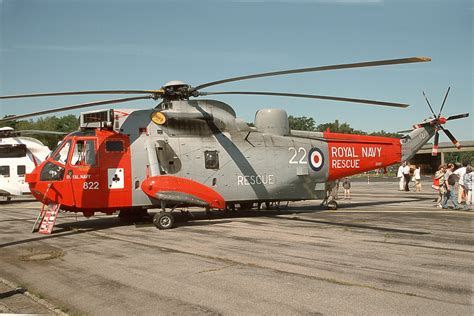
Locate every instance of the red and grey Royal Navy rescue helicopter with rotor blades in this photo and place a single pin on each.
(186, 152)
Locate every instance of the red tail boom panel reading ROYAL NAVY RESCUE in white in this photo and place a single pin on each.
(352, 154)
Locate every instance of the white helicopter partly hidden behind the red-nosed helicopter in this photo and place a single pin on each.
(19, 155)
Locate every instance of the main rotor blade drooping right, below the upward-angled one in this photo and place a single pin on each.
(310, 96)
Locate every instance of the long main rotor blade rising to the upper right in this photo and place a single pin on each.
(321, 68)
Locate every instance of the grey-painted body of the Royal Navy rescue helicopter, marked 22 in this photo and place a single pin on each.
(203, 141)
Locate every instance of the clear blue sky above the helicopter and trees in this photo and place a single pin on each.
(61, 45)
